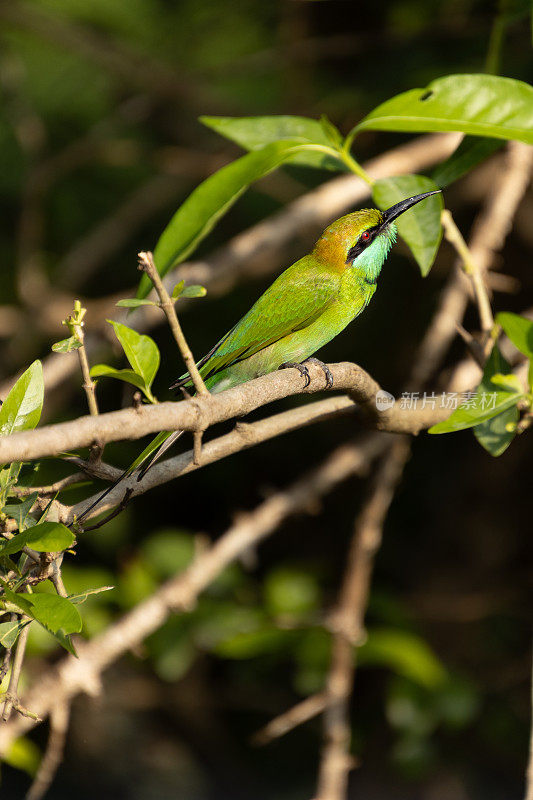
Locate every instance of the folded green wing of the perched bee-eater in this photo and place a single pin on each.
(291, 303)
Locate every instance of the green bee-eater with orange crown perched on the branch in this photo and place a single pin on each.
(307, 305)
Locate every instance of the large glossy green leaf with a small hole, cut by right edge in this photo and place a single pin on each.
(483, 105)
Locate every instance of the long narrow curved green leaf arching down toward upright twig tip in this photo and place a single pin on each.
(198, 215)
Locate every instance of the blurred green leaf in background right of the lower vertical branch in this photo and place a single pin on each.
(405, 653)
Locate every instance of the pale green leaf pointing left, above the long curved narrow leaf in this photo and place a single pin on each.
(253, 133)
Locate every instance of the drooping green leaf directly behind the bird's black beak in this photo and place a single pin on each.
(420, 227)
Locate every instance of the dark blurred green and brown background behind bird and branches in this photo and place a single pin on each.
(99, 143)
